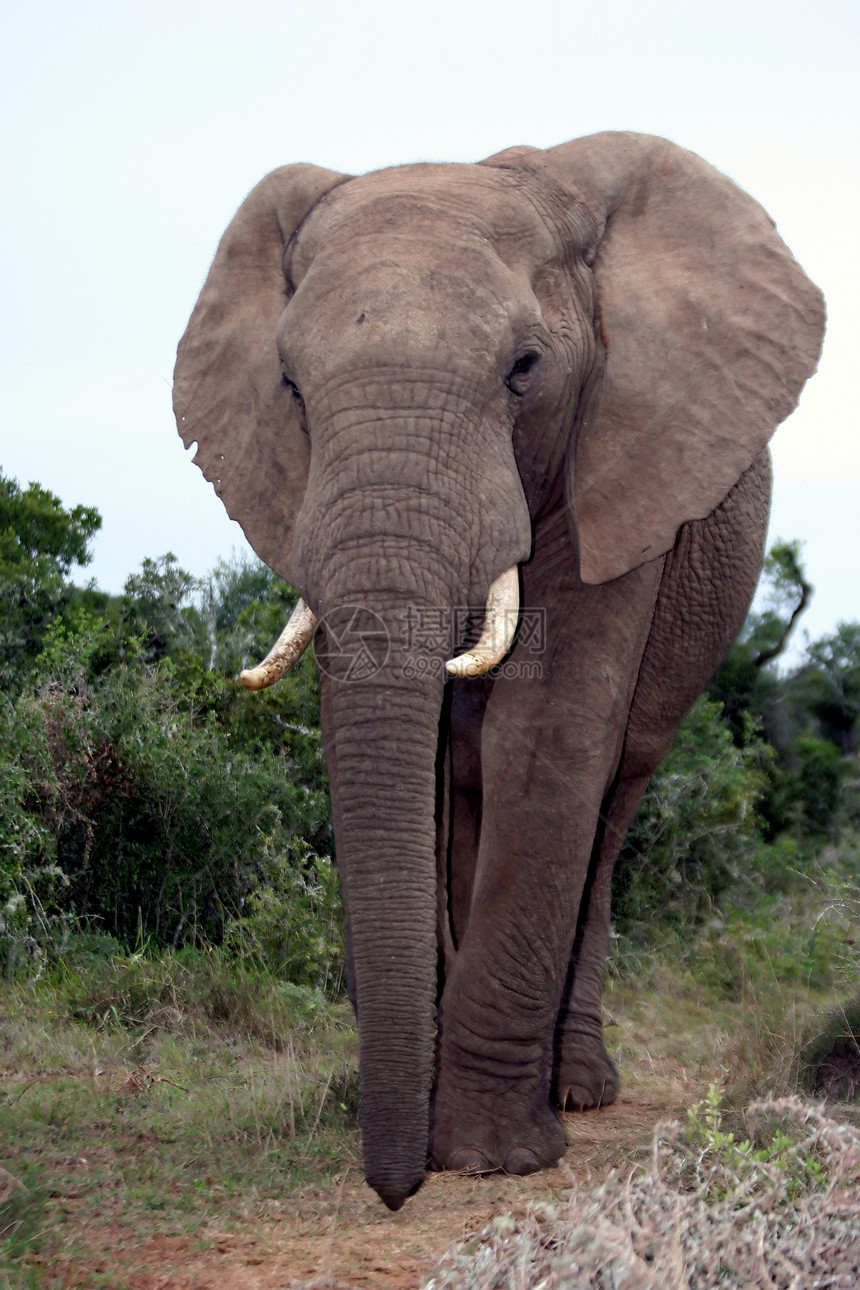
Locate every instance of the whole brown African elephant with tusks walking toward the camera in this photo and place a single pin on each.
(547, 380)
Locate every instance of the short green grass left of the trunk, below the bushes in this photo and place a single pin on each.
(155, 1095)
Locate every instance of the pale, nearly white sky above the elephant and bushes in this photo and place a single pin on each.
(132, 132)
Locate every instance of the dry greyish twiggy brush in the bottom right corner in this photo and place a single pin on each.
(705, 1212)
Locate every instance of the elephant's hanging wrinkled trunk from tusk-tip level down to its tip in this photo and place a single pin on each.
(384, 749)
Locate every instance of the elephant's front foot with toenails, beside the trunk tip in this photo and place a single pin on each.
(511, 1146)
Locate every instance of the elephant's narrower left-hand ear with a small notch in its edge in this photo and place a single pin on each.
(229, 394)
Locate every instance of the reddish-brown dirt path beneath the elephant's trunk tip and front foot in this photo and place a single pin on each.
(344, 1238)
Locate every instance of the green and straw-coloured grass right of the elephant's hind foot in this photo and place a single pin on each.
(751, 990)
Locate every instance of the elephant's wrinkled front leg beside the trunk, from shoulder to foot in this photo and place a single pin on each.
(551, 746)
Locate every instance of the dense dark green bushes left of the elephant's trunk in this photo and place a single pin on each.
(151, 794)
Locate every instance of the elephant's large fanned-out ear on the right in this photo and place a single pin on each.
(710, 330)
